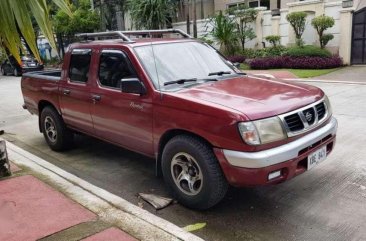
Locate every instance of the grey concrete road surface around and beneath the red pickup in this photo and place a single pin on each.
(326, 203)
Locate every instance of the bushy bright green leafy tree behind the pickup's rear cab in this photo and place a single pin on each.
(82, 20)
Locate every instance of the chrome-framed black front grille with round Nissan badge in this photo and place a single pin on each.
(301, 120)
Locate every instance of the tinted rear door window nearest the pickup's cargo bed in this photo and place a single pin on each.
(79, 65)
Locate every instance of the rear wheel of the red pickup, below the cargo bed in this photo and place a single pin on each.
(58, 138)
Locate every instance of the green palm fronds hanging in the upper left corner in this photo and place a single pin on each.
(16, 15)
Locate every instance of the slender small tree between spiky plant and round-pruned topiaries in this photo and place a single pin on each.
(245, 16)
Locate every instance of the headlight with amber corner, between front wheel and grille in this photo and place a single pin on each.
(262, 131)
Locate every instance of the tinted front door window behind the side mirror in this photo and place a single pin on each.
(114, 66)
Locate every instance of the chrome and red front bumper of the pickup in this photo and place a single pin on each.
(253, 168)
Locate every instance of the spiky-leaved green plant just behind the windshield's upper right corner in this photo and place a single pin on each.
(224, 31)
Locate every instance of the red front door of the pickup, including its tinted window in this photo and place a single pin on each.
(122, 118)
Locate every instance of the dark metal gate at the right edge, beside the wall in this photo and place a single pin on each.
(359, 37)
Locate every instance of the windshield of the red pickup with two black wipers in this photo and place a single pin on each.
(181, 61)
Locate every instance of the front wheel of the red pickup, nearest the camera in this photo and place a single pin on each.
(202, 195)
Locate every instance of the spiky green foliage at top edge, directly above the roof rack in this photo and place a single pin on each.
(152, 14)
